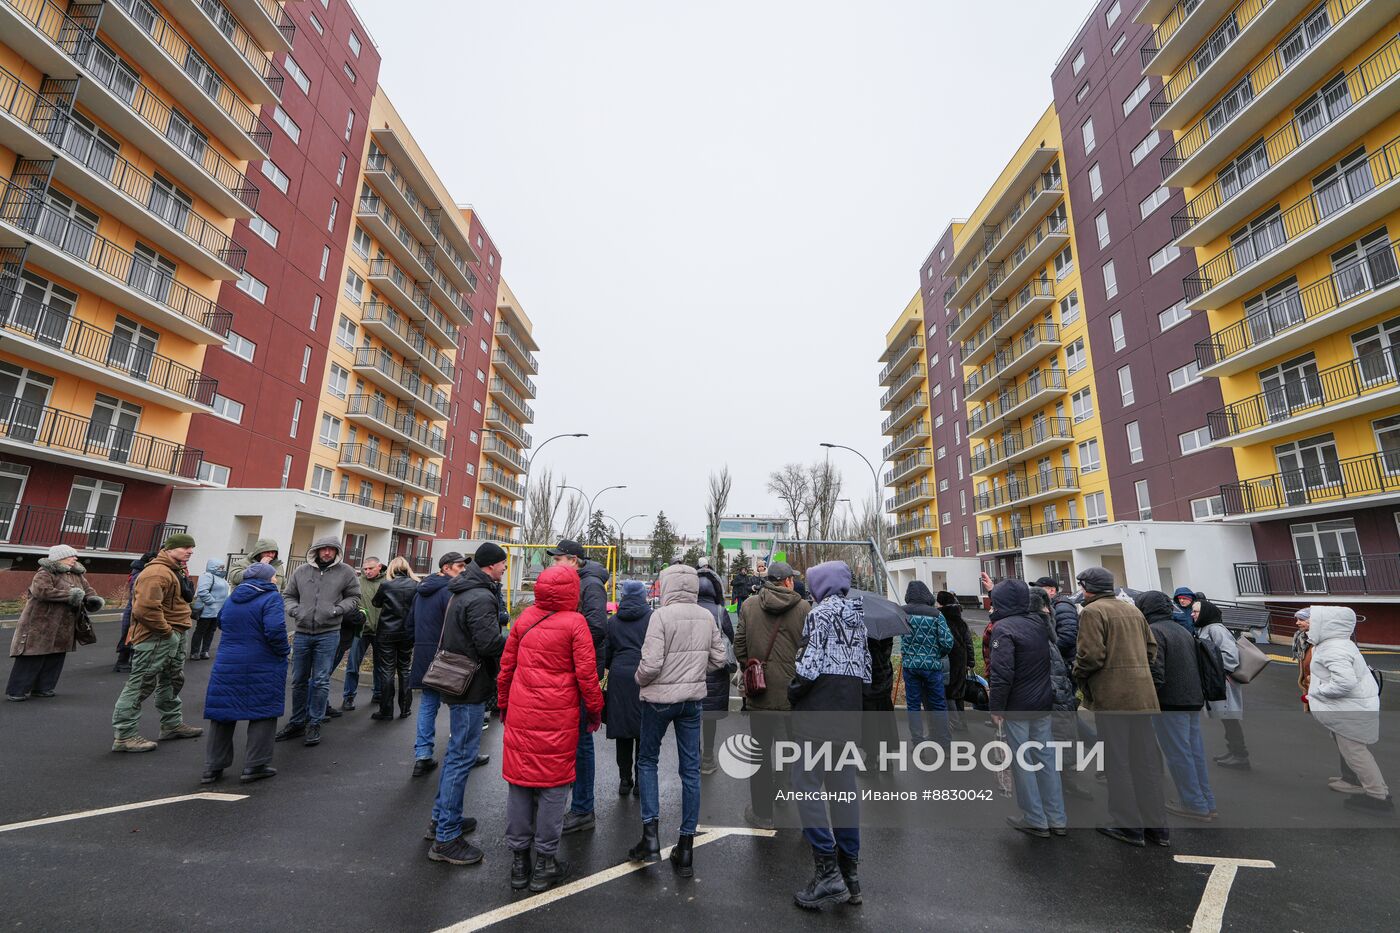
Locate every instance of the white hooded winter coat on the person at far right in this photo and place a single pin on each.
(1343, 694)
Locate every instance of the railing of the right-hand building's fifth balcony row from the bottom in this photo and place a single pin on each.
(1381, 169)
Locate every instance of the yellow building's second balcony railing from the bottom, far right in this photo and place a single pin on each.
(1328, 484)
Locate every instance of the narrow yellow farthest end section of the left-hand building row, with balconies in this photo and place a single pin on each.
(500, 498)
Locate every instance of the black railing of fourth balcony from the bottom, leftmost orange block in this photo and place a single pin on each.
(37, 219)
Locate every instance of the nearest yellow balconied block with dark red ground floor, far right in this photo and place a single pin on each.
(1286, 124)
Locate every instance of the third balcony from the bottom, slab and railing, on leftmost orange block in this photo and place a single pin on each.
(54, 338)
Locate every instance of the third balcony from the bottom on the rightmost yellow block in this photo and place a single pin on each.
(1356, 387)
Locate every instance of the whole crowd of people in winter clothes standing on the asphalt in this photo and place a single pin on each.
(1146, 665)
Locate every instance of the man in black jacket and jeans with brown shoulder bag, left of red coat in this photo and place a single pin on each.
(470, 628)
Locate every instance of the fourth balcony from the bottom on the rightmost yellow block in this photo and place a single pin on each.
(1349, 296)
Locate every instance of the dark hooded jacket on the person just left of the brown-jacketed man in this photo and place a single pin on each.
(1018, 672)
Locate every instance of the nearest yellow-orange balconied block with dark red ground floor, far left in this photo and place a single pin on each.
(127, 132)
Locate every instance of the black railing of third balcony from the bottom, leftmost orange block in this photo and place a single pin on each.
(61, 331)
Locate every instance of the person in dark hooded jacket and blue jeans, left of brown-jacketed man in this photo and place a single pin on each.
(1021, 698)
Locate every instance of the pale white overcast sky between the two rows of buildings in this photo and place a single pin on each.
(715, 211)
